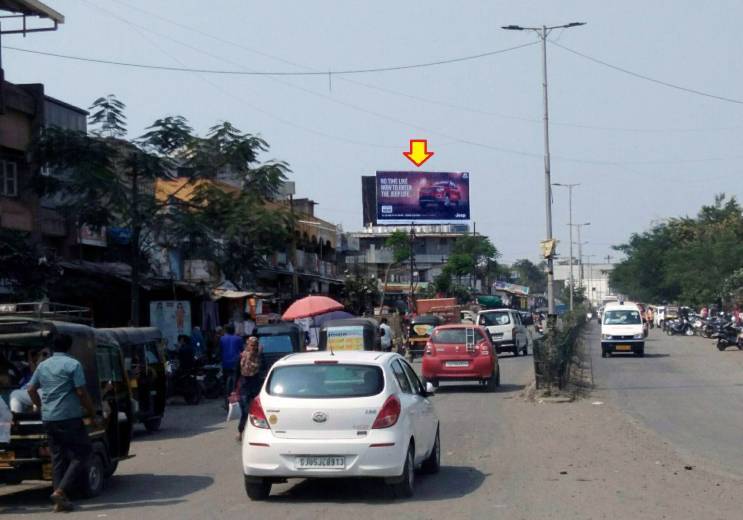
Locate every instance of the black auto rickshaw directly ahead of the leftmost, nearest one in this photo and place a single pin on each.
(145, 367)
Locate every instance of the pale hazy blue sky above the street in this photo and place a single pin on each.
(641, 151)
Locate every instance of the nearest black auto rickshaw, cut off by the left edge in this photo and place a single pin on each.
(24, 451)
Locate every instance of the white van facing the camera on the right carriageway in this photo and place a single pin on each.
(622, 329)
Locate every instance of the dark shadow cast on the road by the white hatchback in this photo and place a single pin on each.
(450, 482)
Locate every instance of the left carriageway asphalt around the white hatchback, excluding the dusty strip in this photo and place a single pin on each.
(191, 468)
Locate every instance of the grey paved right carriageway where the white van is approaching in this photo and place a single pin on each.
(684, 389)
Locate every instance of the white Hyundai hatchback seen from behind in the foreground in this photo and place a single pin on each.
(342, 414)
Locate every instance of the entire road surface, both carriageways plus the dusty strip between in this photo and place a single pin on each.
(504, 456)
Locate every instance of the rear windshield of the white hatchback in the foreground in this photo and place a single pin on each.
(325, 381)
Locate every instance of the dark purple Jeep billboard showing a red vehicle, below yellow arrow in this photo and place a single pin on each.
(422, 196)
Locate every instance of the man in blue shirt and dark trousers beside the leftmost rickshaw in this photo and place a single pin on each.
(64, 395)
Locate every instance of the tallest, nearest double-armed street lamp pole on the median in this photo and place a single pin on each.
(543, 32)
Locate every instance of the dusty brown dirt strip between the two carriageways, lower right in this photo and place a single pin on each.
(585, 460)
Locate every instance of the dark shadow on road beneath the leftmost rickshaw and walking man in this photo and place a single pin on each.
(121, 492)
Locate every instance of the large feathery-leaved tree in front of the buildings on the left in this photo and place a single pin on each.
(107, 180)
